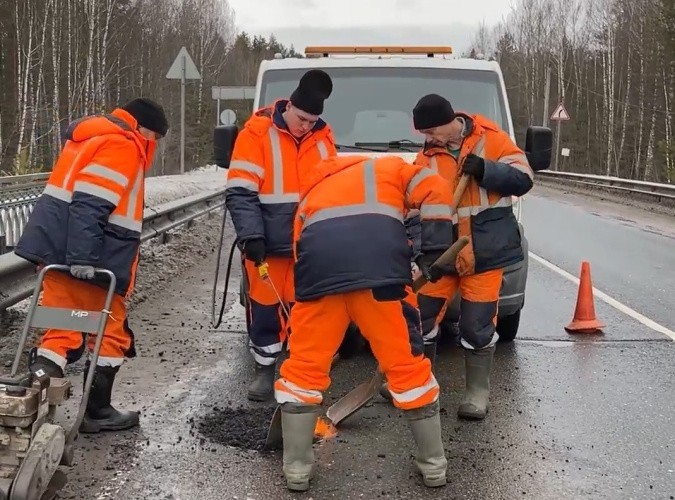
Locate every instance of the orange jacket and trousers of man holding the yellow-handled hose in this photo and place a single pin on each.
(267, 167)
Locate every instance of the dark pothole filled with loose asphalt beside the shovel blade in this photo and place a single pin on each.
(241, 427)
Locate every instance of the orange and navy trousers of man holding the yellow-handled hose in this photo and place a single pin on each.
(268, 327)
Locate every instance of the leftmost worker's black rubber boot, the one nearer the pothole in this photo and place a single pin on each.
(100, 414)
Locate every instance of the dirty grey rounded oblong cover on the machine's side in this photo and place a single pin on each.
(40, 464)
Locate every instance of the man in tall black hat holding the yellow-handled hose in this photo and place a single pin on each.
(276, 149)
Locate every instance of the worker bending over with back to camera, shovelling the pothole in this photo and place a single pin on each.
(353, 263)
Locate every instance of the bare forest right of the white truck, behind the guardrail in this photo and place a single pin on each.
(612, 64)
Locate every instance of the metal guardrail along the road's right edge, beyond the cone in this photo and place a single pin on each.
(653, 190)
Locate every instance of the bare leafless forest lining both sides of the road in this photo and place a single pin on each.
(611, 62)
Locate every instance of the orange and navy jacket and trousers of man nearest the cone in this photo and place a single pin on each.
(485, 215)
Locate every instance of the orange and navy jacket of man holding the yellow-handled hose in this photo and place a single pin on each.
(267, 168)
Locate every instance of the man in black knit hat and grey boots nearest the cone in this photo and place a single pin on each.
(460, 143)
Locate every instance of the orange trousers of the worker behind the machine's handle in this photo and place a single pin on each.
(66, 346)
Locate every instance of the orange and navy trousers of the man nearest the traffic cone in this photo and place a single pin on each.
(477, 310)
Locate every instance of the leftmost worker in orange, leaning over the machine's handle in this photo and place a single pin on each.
(90, 215)
